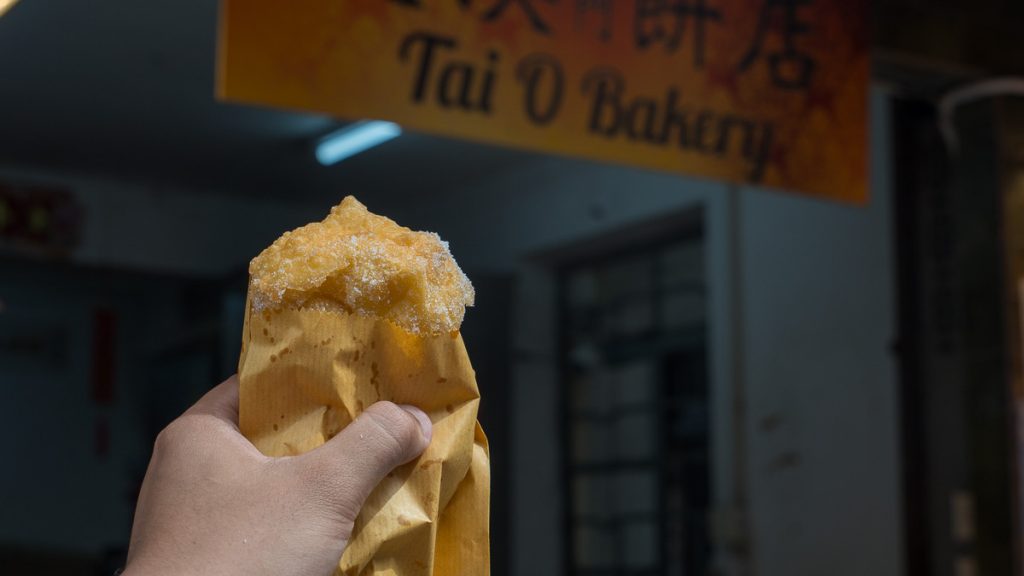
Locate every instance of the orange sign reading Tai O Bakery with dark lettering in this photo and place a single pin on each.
(769, 93)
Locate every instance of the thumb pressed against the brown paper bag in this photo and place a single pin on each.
(348, 469)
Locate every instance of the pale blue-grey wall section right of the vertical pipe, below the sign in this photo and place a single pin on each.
(819, 322)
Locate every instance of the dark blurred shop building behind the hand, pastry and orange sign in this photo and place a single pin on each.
(679, 377)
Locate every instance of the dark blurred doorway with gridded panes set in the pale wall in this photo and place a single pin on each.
(636, 407)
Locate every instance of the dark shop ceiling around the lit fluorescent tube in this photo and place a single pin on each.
(124, 90)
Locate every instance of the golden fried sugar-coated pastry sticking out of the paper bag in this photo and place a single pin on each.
(364, 264)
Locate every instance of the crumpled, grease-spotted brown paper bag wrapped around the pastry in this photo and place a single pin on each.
(306, 375)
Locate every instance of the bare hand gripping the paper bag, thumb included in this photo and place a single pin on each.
(211, 504)
